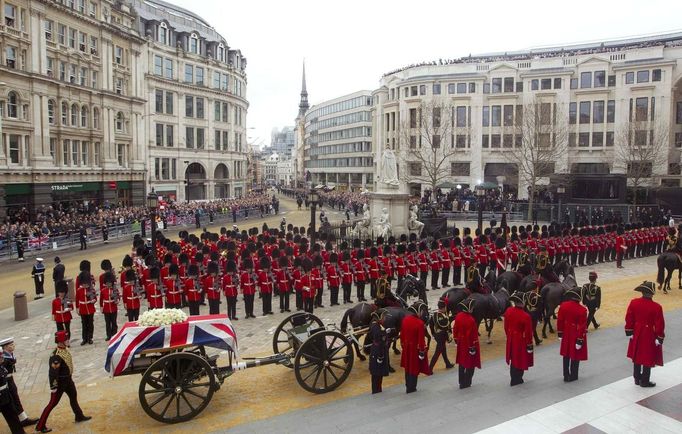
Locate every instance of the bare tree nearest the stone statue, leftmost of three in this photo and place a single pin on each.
(433, 133)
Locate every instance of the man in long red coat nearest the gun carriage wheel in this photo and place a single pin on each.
(414, 358)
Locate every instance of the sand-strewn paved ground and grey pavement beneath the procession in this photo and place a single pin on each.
(268, 399)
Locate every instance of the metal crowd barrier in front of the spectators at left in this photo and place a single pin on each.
(34, 246)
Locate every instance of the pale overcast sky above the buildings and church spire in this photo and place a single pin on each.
(349, 45)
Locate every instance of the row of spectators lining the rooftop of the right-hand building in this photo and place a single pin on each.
(542, 53)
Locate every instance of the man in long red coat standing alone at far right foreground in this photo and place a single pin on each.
(645, 325)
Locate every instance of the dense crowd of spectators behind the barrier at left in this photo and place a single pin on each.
(58, 219)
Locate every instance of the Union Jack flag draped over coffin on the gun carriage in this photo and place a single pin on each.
(214, 331)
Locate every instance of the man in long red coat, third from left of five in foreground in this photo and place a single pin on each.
(519, 331)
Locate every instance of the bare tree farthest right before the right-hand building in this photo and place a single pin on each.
(641, 146)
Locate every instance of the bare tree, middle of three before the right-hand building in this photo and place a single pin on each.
(540, 139)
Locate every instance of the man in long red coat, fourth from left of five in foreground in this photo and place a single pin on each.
(572, 331)
